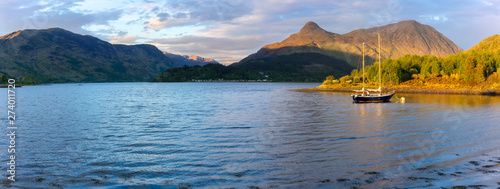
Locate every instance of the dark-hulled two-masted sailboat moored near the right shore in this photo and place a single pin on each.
(372, 95)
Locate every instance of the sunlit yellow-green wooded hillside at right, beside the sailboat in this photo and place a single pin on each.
(477, 68)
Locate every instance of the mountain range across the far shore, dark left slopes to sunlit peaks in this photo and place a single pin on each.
(58, 55)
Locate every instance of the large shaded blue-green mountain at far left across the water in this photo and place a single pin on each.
(58, 55)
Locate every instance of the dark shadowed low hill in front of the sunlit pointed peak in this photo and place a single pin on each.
(286, 68)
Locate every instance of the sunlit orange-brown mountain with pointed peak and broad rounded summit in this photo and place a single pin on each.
(397, 40)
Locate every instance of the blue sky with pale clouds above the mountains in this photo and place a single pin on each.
(229, 30)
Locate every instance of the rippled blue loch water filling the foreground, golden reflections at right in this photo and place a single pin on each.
(223, 135)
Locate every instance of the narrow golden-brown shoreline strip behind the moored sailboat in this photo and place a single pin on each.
(411, 90)
